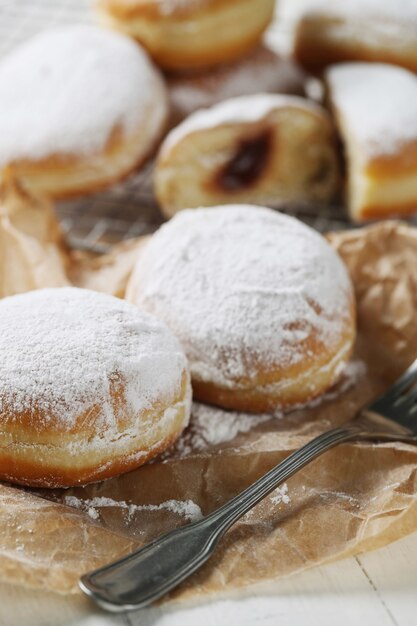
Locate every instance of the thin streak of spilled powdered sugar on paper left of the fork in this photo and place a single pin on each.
(184, 508)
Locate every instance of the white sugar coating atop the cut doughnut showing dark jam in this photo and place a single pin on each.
(240, 110)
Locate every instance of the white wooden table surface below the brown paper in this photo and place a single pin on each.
(376, 589)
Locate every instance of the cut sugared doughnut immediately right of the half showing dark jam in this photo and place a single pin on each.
(375, 109)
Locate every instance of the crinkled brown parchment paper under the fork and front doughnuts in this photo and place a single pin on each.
(354, 498)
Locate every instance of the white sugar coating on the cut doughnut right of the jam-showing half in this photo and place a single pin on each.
(377, 104)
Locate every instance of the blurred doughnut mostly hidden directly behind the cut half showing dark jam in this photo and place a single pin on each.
(261, 71)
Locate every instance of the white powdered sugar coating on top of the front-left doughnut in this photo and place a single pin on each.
(61, 350)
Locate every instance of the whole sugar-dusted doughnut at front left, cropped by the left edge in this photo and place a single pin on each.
(89, 387)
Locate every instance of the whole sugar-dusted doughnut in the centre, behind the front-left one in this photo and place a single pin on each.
(261, 304)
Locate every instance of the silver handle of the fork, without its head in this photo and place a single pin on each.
(142, 577)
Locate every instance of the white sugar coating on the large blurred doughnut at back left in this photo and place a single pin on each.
(67, 89)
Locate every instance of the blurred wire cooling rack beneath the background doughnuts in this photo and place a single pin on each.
(128, 209)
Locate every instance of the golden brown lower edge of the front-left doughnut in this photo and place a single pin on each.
(21, 449)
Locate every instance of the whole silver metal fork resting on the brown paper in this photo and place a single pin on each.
(142, 577)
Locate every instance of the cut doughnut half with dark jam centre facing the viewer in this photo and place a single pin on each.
(261, 149)
